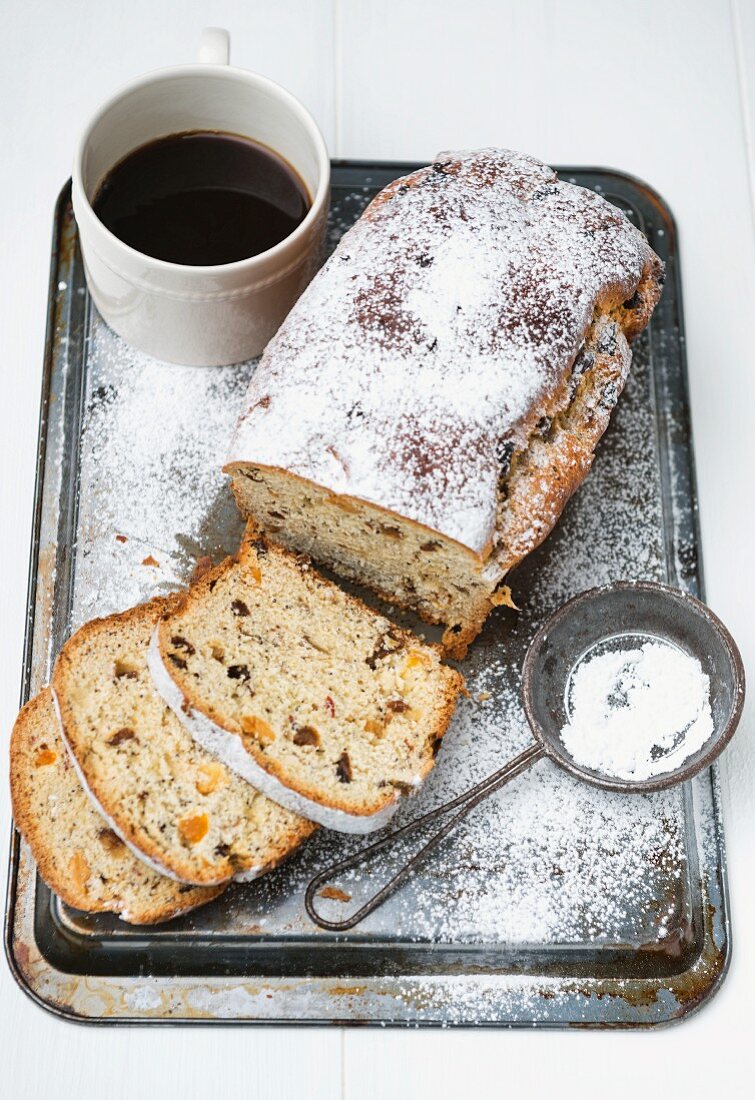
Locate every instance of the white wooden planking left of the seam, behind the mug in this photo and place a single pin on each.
(61, 61)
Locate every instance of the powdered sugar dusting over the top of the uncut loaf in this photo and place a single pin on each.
(444, 318)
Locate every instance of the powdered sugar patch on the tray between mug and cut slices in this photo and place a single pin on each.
(154, 499)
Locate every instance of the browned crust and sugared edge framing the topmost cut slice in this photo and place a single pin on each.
(222, 735)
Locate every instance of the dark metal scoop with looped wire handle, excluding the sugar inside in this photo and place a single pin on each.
(595, 622)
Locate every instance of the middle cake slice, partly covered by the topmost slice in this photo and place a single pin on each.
(183, 810)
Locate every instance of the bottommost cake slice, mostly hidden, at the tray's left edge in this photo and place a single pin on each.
(78, 855)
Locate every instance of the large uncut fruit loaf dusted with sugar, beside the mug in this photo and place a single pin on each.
(436, 395)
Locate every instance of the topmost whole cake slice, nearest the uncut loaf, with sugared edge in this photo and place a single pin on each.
(320, 702)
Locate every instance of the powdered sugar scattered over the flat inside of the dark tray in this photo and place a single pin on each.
(549, 861)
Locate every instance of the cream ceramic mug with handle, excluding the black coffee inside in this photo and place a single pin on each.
(200, 315)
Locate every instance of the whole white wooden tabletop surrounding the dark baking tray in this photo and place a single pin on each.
(661, 89)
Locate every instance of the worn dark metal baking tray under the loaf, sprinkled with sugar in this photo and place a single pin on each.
(555, 905)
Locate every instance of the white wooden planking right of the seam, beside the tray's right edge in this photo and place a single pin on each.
(651, 87)
